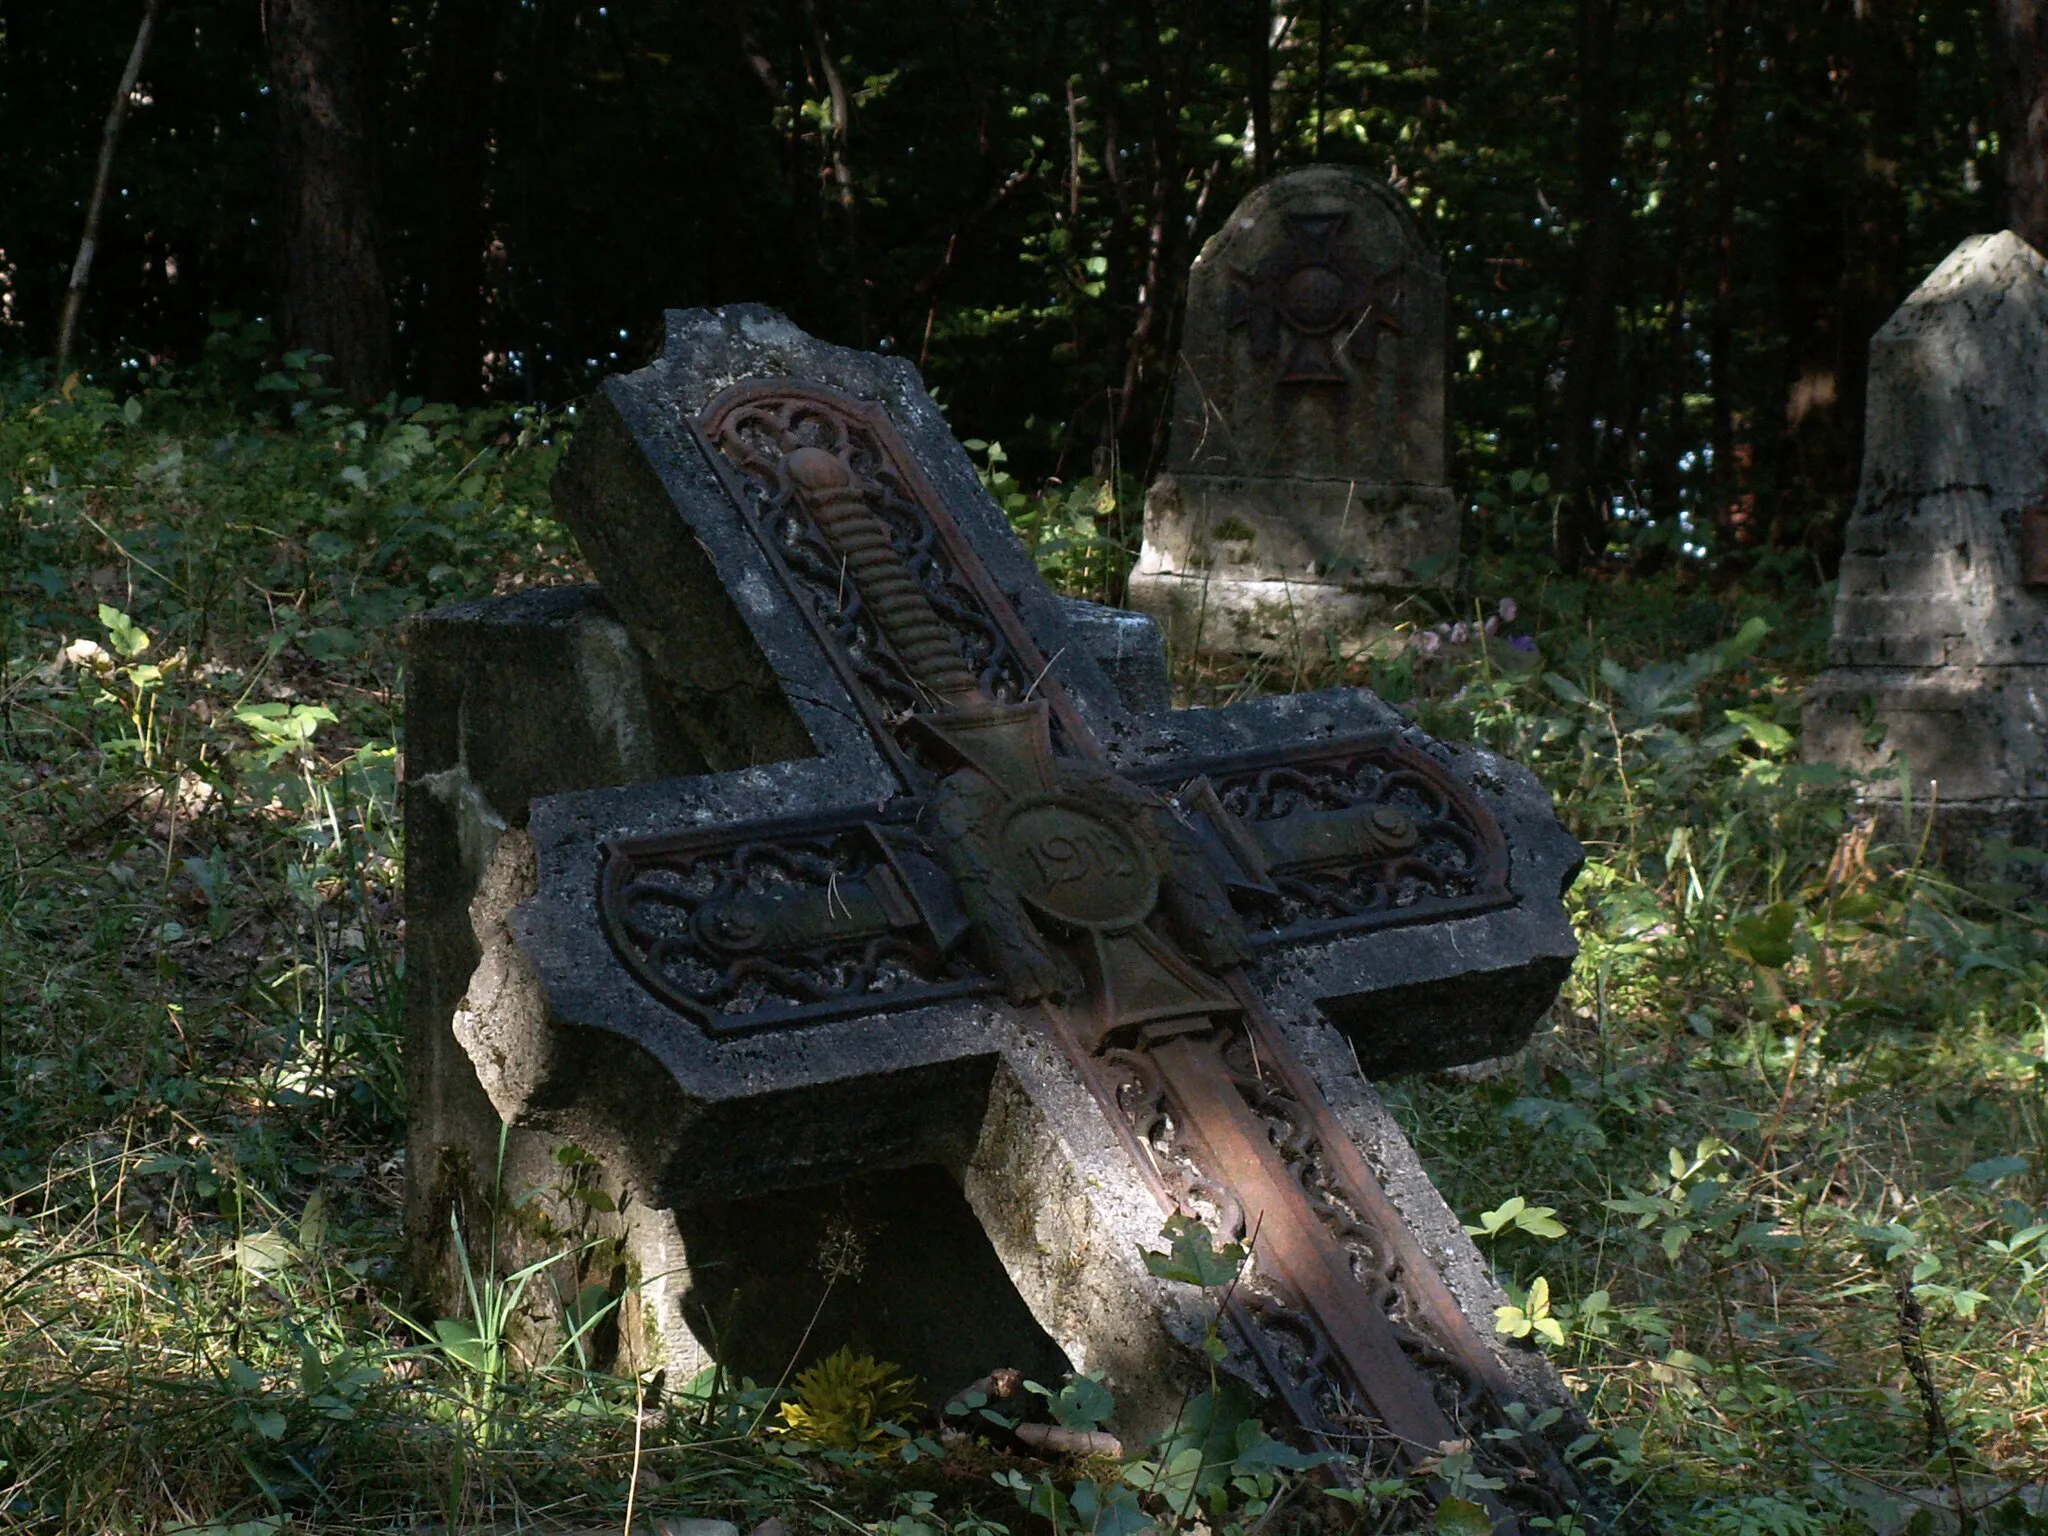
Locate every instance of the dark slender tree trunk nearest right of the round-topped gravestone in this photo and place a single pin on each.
(1582, 523)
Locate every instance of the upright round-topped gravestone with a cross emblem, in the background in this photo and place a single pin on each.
(1306, 482)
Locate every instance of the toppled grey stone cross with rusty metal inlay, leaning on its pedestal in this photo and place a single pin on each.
(947, 902)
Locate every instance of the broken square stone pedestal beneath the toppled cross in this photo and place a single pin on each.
(544, 693)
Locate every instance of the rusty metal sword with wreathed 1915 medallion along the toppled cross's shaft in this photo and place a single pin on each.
(1066, 871)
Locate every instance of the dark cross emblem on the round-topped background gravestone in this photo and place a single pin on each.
(1316, 298)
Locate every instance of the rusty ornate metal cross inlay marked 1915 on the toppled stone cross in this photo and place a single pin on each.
(1127, 912)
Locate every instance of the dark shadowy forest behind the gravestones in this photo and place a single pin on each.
(1670, 226)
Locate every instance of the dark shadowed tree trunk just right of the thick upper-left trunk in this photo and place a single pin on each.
(456, 99)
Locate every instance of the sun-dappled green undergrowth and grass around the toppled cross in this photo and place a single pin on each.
(1768, 1187)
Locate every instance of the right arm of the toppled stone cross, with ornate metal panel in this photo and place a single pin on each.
(1404, 890)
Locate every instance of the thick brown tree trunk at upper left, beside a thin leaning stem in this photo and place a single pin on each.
(327, 153)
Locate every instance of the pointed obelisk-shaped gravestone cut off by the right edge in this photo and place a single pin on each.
(1940, 654)
